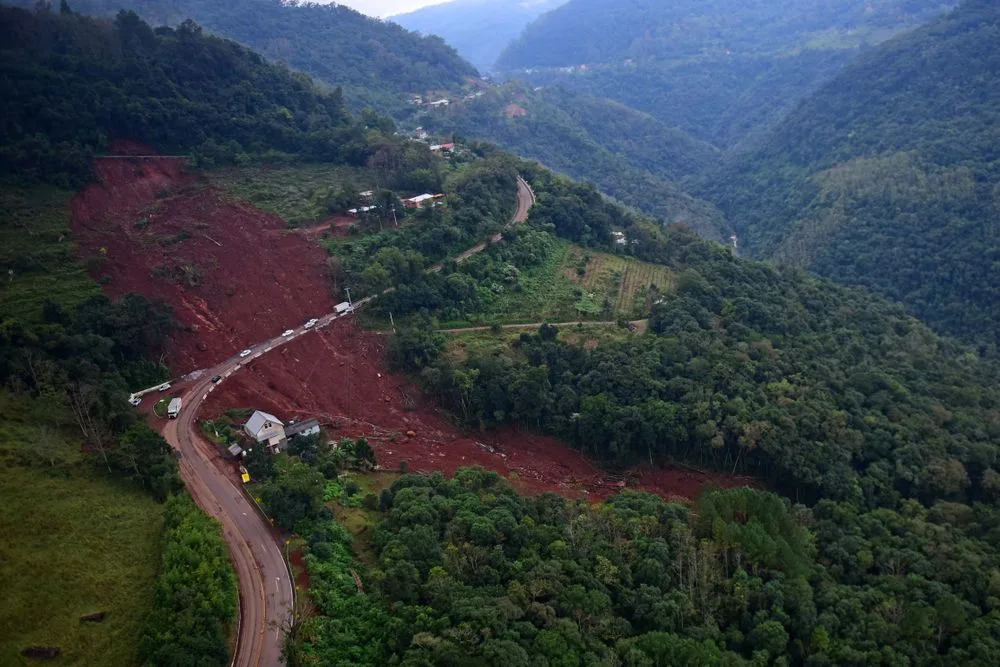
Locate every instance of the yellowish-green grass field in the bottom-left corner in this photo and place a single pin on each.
(74, 543)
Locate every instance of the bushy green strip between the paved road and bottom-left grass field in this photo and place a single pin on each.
(196, 594)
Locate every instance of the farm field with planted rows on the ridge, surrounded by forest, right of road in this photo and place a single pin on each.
(580, 284)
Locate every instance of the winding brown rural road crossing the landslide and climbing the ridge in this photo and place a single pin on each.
(267, 592)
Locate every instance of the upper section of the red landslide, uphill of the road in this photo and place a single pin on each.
(232, 273)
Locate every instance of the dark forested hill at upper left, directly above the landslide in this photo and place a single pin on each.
(71, 83)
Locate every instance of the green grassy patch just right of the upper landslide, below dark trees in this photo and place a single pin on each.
(297, 193)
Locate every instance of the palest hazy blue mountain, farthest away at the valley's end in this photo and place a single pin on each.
(478, 29)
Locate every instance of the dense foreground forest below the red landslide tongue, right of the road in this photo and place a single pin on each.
(469, 573)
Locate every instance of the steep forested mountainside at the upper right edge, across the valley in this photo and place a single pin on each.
(887, 178)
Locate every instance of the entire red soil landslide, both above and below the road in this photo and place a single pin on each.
(235, 275)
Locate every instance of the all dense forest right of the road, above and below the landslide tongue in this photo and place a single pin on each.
(885, 433)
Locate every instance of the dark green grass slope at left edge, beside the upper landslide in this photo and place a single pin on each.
(36, 252)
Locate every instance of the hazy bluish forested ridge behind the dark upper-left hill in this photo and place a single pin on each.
(373, 61)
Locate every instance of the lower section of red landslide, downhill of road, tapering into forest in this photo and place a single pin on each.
(338, 375)
